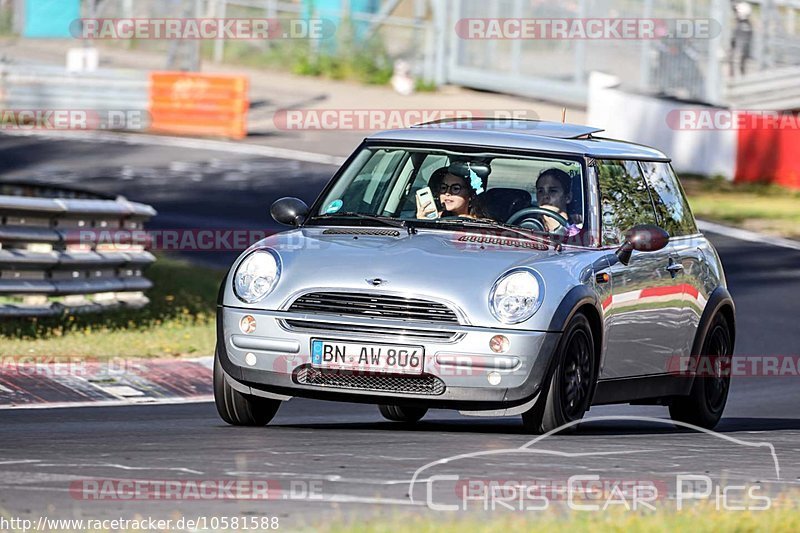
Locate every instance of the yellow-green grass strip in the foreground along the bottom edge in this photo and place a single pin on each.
(699, 518)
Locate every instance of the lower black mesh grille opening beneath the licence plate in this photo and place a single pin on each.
(424, 384)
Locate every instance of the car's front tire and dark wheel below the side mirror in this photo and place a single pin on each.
(567, 394)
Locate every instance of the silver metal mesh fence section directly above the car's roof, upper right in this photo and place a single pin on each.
(540, 68)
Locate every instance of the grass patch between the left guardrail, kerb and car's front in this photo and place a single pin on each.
(178, 321)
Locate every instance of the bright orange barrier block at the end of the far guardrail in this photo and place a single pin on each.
(187, 103)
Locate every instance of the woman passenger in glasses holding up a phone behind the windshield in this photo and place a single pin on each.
(457, 194)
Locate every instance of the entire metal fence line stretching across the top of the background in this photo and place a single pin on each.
(422, 32)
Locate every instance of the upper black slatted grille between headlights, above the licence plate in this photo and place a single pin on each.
(364, 305)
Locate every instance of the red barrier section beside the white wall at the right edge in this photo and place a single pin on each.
(767, 152)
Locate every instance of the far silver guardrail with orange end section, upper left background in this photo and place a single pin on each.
(180, 103)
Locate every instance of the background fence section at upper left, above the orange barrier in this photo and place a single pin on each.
(404, 28)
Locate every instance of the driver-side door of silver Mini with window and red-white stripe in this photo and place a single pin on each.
(642, 315)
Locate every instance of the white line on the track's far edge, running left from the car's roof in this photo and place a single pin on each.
(229, 147)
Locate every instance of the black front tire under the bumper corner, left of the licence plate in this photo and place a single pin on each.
(240, 409)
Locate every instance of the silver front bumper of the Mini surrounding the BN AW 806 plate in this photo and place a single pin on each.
(459, 368)
